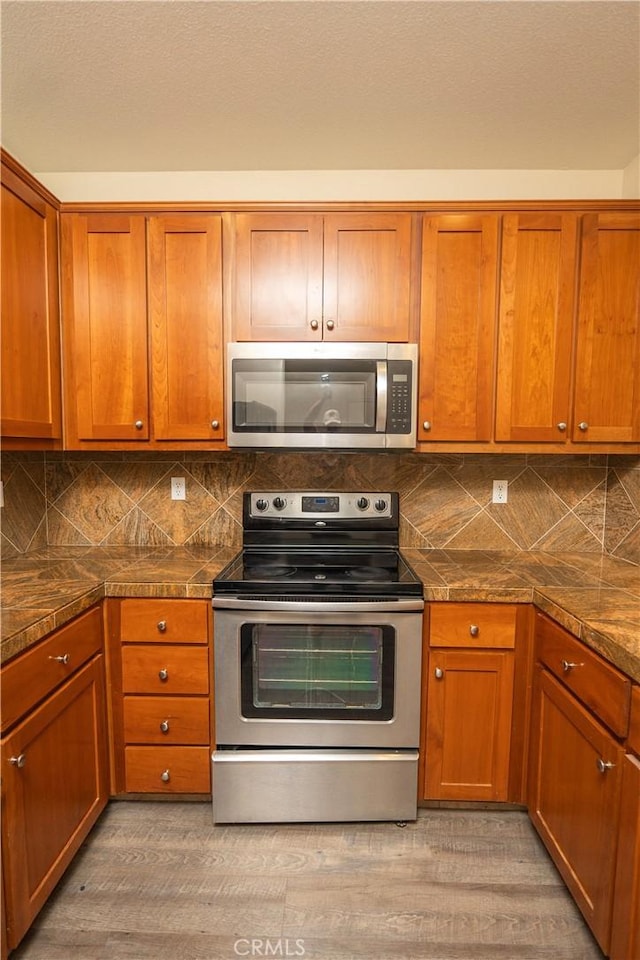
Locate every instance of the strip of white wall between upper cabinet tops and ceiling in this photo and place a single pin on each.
(328, 185)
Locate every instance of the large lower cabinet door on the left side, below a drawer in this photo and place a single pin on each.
(54, 786)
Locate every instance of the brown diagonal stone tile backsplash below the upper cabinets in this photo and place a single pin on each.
(557, 504)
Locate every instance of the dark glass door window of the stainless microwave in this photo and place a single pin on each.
(298, 396)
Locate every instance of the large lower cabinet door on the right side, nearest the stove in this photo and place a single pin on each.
(575, 777)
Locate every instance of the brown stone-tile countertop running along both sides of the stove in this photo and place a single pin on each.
(596, 598)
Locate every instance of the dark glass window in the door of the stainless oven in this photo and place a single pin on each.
(317, 672)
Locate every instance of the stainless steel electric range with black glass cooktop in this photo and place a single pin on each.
(317, 652)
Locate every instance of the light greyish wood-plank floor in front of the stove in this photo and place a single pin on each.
(157, 881)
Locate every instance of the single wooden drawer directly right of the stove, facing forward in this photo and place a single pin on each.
(472, 625)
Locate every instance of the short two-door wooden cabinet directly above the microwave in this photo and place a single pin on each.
(307, 276)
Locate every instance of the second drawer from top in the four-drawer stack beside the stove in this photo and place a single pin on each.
(165, 669)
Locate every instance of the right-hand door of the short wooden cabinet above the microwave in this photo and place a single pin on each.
(367, 277)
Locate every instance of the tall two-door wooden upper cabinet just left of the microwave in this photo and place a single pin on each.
(142, 316)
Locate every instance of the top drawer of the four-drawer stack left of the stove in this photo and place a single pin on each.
(164, 621)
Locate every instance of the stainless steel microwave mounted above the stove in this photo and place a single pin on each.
(323, 395)
